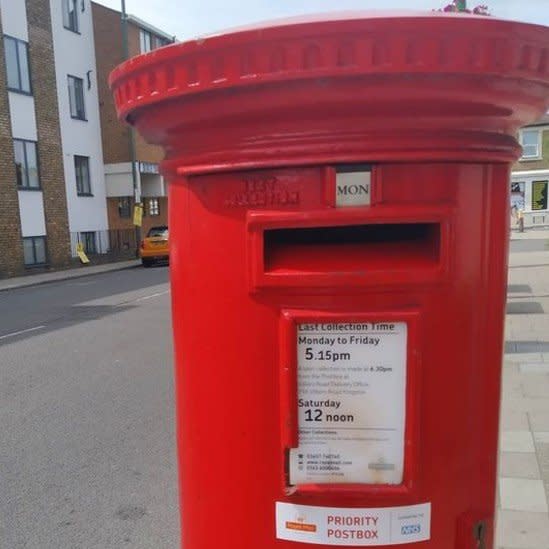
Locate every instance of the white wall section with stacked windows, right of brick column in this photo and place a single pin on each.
(76, 79)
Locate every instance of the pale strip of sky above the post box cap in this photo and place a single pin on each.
(187, 19)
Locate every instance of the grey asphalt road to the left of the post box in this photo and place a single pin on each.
(87, 452)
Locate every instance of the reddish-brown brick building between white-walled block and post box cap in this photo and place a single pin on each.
(131, 165)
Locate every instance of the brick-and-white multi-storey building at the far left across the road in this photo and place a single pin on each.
(51, 178)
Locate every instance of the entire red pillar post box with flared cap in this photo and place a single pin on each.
(339, 223)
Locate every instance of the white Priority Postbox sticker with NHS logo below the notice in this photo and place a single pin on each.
(358, 527)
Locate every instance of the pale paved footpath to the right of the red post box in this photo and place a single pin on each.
(523, 484)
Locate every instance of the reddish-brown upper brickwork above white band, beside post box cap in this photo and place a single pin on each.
(109, 53)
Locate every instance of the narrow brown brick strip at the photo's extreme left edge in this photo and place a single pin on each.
(11, 246)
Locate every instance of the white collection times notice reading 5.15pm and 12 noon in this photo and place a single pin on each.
(351, 402)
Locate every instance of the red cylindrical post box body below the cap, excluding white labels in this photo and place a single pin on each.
(236, 303)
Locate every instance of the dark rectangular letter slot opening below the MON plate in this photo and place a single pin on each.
(352, 247)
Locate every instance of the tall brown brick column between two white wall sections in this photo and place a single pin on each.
(52, 177)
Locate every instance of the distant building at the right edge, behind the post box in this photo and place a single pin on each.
(530, 175)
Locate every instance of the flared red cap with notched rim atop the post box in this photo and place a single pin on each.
(400, 71)
